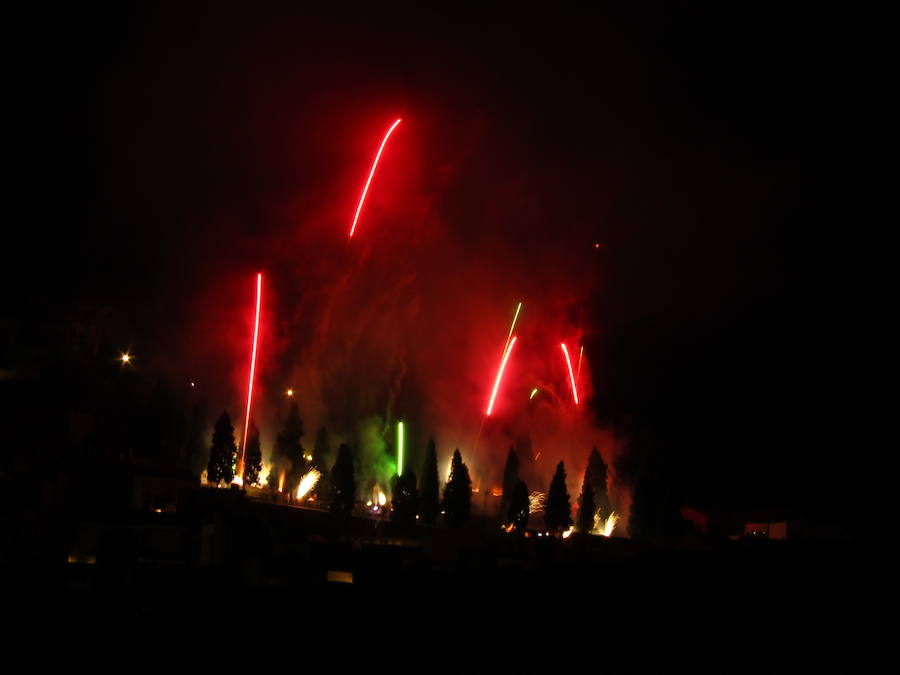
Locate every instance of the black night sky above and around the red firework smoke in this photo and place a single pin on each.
(719, 156)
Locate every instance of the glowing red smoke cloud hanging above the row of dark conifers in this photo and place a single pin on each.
(405, 323)
